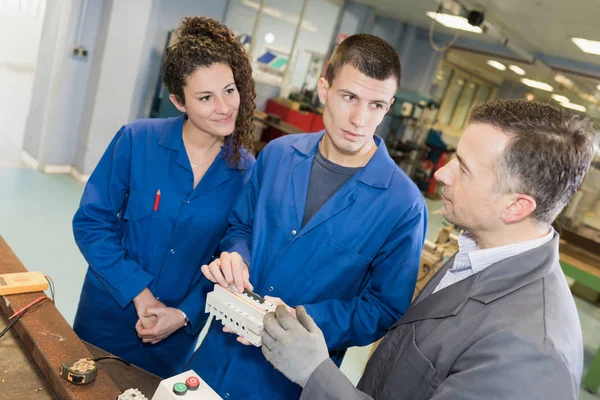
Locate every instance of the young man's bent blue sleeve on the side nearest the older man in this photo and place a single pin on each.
(386, 296)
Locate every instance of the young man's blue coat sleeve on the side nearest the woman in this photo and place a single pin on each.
(238, 237)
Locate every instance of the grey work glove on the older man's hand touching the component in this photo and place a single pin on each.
(295, 347)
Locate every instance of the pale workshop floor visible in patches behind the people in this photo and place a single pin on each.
(35, 220)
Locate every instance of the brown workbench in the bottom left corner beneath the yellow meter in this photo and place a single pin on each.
(32, 351)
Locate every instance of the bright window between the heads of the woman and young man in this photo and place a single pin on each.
(287, 39)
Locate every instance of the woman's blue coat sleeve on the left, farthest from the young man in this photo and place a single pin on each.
(96, 225)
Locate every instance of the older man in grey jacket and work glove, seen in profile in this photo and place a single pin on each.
(498, 320)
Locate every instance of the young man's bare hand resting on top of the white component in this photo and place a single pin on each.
(228, 269)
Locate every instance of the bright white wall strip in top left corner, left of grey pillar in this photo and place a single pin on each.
(20, 32)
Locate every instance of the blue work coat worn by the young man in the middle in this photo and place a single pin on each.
(353, 266)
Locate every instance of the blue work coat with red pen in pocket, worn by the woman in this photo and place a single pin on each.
(129, 246)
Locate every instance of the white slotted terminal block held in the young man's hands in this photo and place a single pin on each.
(241, 312)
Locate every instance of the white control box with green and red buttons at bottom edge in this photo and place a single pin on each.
(185, 386)
